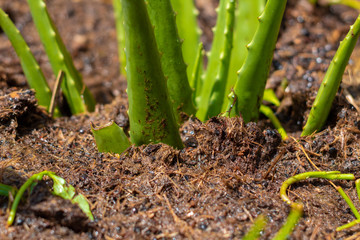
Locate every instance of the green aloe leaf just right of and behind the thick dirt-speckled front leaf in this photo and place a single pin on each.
(173, 65)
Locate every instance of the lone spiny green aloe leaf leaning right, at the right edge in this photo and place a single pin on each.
(331, 82)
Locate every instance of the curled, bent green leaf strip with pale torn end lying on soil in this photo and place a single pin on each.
(60, 188)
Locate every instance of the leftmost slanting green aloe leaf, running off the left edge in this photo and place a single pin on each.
(32, 71)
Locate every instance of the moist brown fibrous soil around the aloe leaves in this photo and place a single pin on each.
(229, 172)
